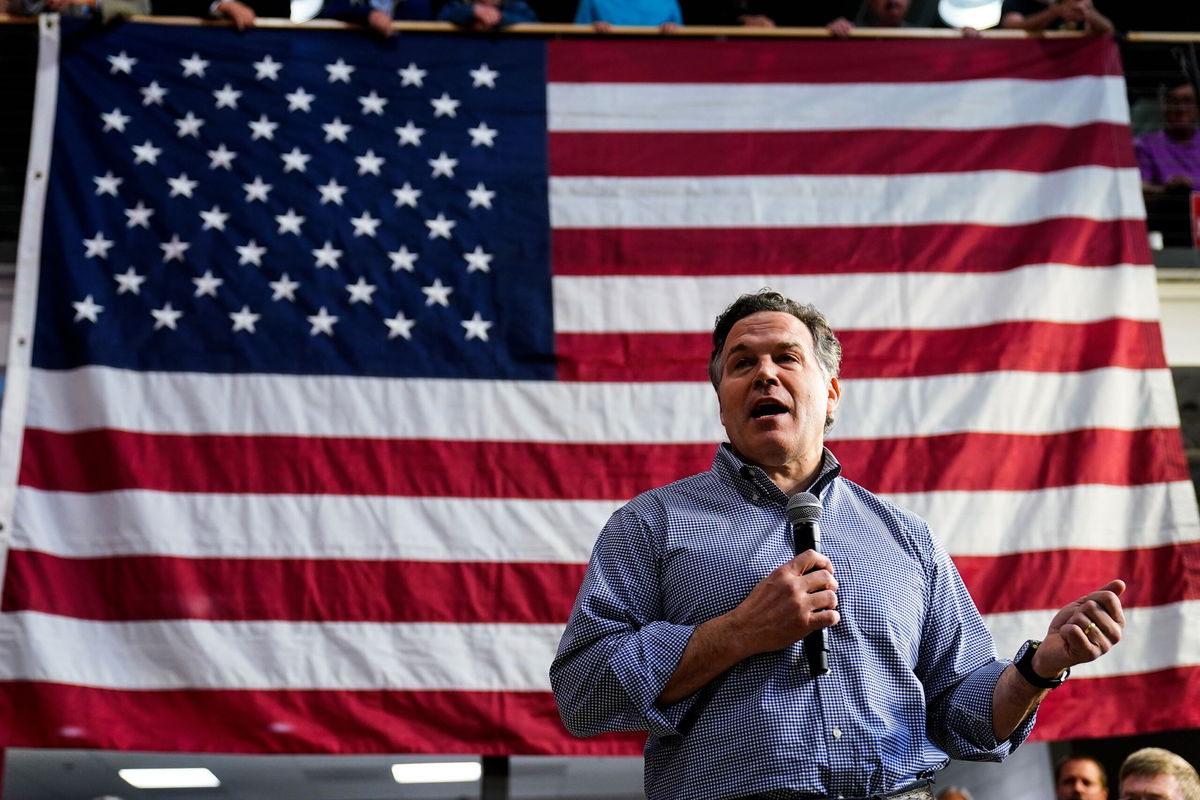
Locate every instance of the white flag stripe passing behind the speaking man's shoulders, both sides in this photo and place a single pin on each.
(460, 530)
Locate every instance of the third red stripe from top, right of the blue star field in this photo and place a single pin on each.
(698, 252)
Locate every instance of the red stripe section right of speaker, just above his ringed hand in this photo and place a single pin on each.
(1156, 576)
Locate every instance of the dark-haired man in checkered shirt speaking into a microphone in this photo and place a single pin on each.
(692, 617)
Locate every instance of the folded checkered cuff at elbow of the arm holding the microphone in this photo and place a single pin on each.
(645, 664)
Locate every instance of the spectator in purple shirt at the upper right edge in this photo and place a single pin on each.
(1169, 161)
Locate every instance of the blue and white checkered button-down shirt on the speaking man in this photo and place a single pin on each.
(913, 665)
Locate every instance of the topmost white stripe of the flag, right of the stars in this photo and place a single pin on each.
(959, 105)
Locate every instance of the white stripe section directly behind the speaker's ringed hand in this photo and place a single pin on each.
(1156, 637)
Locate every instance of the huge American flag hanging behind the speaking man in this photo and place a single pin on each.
(333, 356)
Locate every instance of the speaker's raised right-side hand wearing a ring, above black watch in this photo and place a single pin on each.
(1083, 631)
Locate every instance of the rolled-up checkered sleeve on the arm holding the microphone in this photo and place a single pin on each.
(616, 654)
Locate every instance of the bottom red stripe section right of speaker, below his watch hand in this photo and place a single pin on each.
(1124, 706)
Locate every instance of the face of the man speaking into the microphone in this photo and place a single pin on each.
(775, 396)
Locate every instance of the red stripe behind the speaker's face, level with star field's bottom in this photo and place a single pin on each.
(1024, 346)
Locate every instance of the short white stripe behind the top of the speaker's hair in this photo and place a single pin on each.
(1052, 293)
